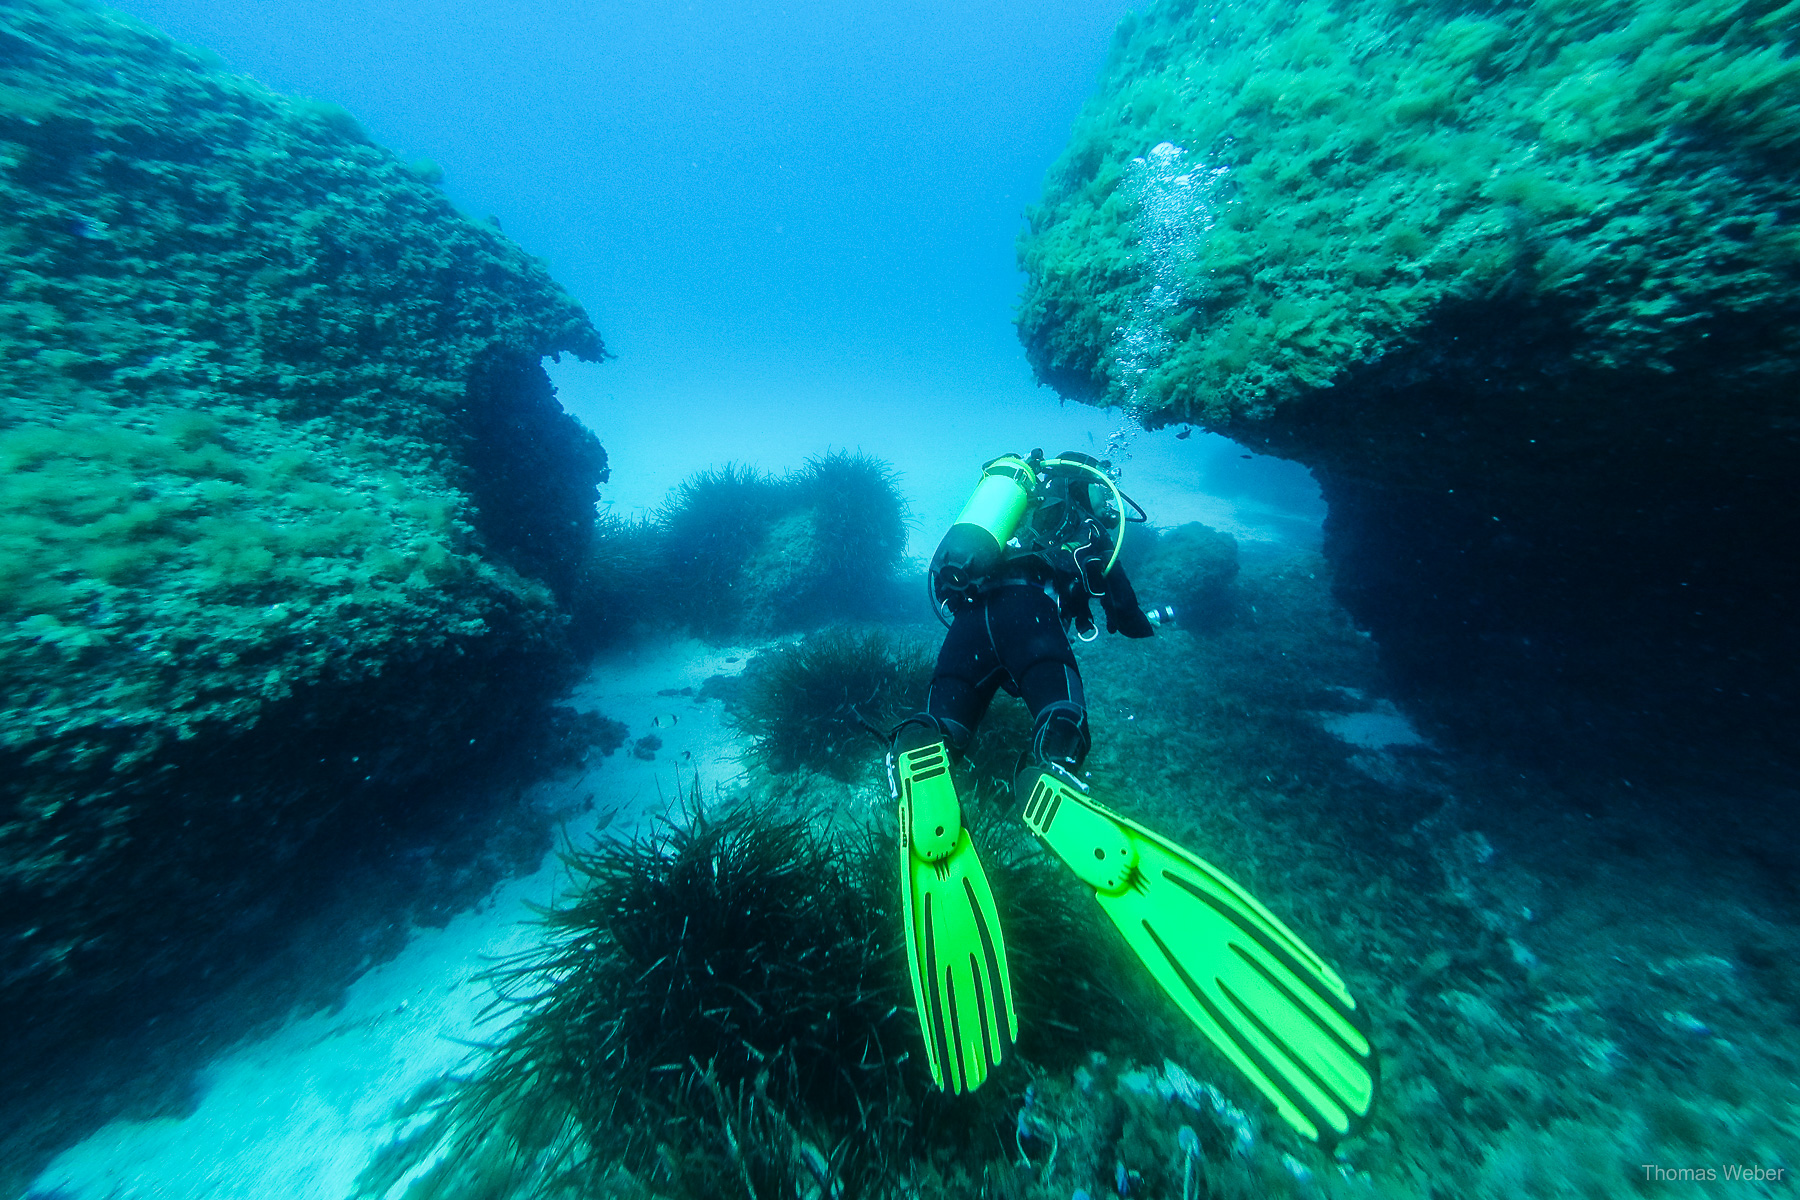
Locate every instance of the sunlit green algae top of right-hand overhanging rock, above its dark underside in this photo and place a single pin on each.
(1349, 172)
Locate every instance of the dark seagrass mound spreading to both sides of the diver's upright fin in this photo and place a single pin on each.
(723, 1010)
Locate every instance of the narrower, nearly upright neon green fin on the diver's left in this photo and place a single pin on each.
(955, 944)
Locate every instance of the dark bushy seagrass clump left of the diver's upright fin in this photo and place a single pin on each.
(715, 1012)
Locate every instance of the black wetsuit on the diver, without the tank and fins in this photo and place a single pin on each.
(1012, 634)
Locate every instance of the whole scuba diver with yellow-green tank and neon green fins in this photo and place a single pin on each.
(1038, 542)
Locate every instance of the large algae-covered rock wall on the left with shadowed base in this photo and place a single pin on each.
(287, 496)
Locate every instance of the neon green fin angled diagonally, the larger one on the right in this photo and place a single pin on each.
(1252, 987)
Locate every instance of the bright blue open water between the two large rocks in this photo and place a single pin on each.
(793, 224)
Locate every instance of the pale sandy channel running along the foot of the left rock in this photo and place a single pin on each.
(300, 1113)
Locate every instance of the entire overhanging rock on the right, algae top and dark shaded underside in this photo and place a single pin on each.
(1522, 285)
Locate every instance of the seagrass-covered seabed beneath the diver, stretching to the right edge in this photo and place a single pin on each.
(1569, 978)
